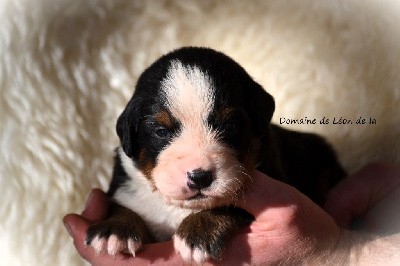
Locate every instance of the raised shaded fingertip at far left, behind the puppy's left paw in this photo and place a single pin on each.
(96, 206)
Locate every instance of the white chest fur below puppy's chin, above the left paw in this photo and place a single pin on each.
(161, 218)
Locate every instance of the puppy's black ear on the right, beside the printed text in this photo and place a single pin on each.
(262, 107)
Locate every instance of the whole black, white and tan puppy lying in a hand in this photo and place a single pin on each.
(195, 126)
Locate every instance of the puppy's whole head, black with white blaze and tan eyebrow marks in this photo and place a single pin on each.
(192, 127)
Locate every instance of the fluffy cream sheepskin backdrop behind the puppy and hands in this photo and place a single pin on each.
(67, 69)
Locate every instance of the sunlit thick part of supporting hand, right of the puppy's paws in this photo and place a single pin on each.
(289, 228)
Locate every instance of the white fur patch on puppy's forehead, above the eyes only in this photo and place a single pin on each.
(189, 92)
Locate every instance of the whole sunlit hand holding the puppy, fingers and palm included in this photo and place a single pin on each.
(289, 228)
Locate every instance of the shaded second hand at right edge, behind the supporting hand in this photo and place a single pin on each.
(368, 199)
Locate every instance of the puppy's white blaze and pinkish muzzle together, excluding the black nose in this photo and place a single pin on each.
(190, 96)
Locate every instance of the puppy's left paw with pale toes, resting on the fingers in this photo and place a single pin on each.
(114, 237)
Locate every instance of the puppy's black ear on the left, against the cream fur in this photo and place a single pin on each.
(127, 125)
